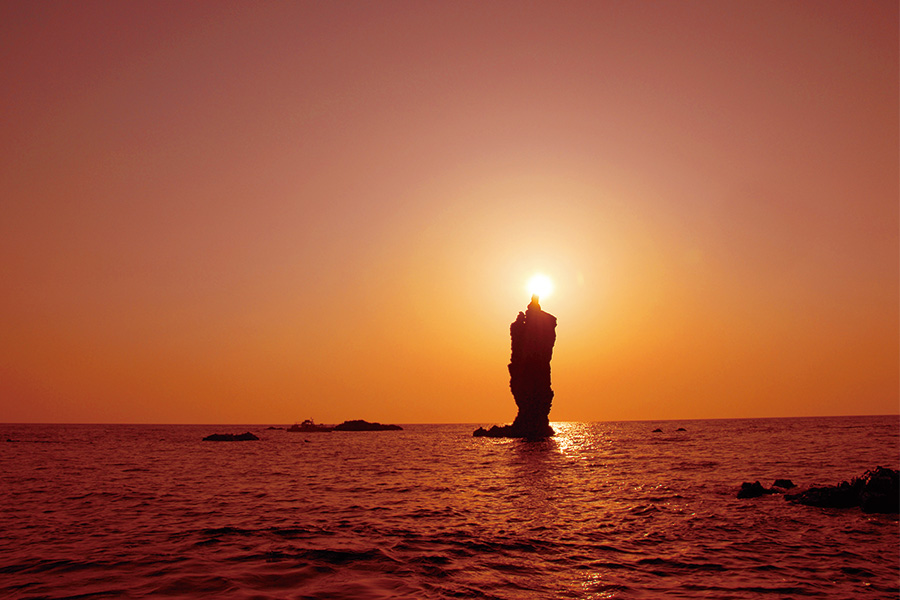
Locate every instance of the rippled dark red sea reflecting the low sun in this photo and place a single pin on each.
(601, 510)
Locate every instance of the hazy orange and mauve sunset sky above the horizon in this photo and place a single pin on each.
(263, 212)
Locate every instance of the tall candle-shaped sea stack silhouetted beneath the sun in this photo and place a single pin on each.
(533, 335)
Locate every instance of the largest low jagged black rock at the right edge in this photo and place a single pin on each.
(877, 491)
